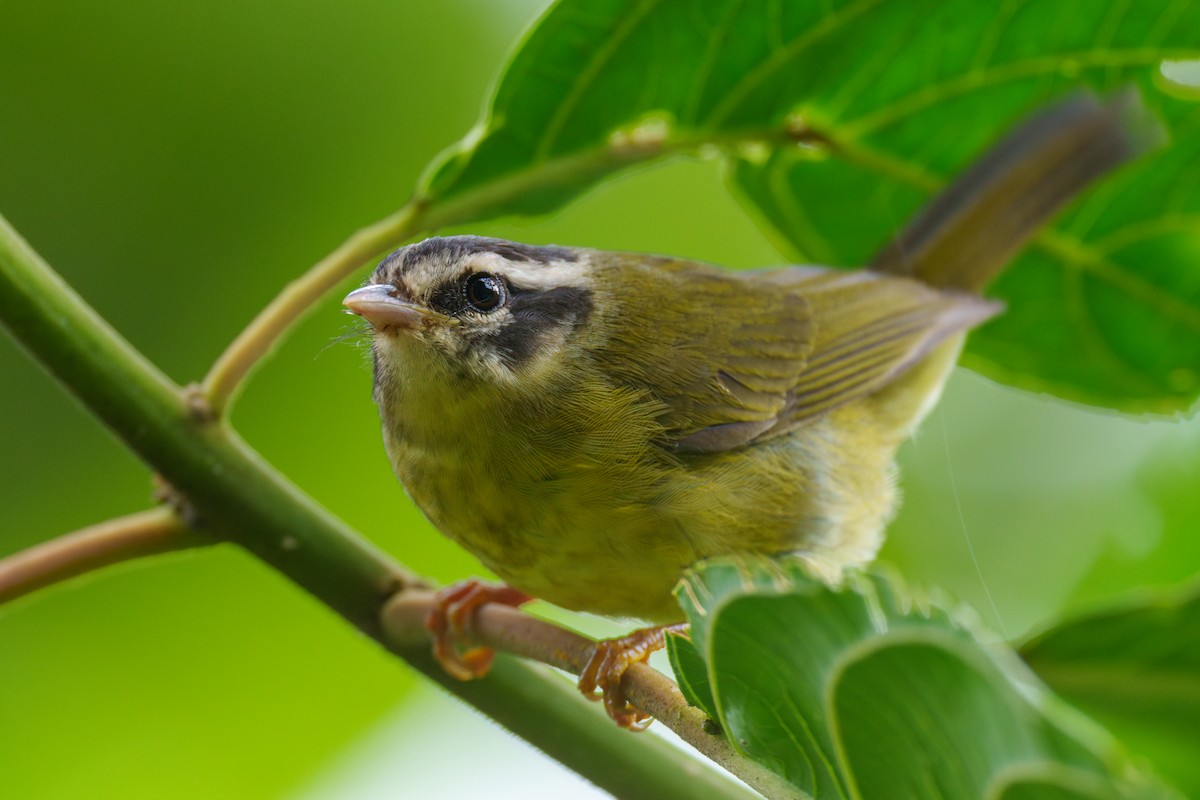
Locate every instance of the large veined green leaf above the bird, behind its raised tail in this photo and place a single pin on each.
(889, 99)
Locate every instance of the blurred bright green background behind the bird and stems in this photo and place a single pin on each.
(178, 164)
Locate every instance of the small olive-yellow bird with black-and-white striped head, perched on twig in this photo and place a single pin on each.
(590, 424)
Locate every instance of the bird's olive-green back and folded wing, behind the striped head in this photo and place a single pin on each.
(736, 358)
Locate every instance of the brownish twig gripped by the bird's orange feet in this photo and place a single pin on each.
(514, 631)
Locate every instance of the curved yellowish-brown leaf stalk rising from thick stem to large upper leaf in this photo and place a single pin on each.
(297, 298)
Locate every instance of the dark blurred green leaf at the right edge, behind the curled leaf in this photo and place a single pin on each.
(1137, 669)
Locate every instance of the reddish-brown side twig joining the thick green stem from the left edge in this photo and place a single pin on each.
(147, 533)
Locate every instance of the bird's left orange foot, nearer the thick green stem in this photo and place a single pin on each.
(451, 619)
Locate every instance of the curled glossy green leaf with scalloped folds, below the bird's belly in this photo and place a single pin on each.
(868, 693)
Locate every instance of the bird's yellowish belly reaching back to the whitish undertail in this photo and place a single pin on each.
(611, 530)
